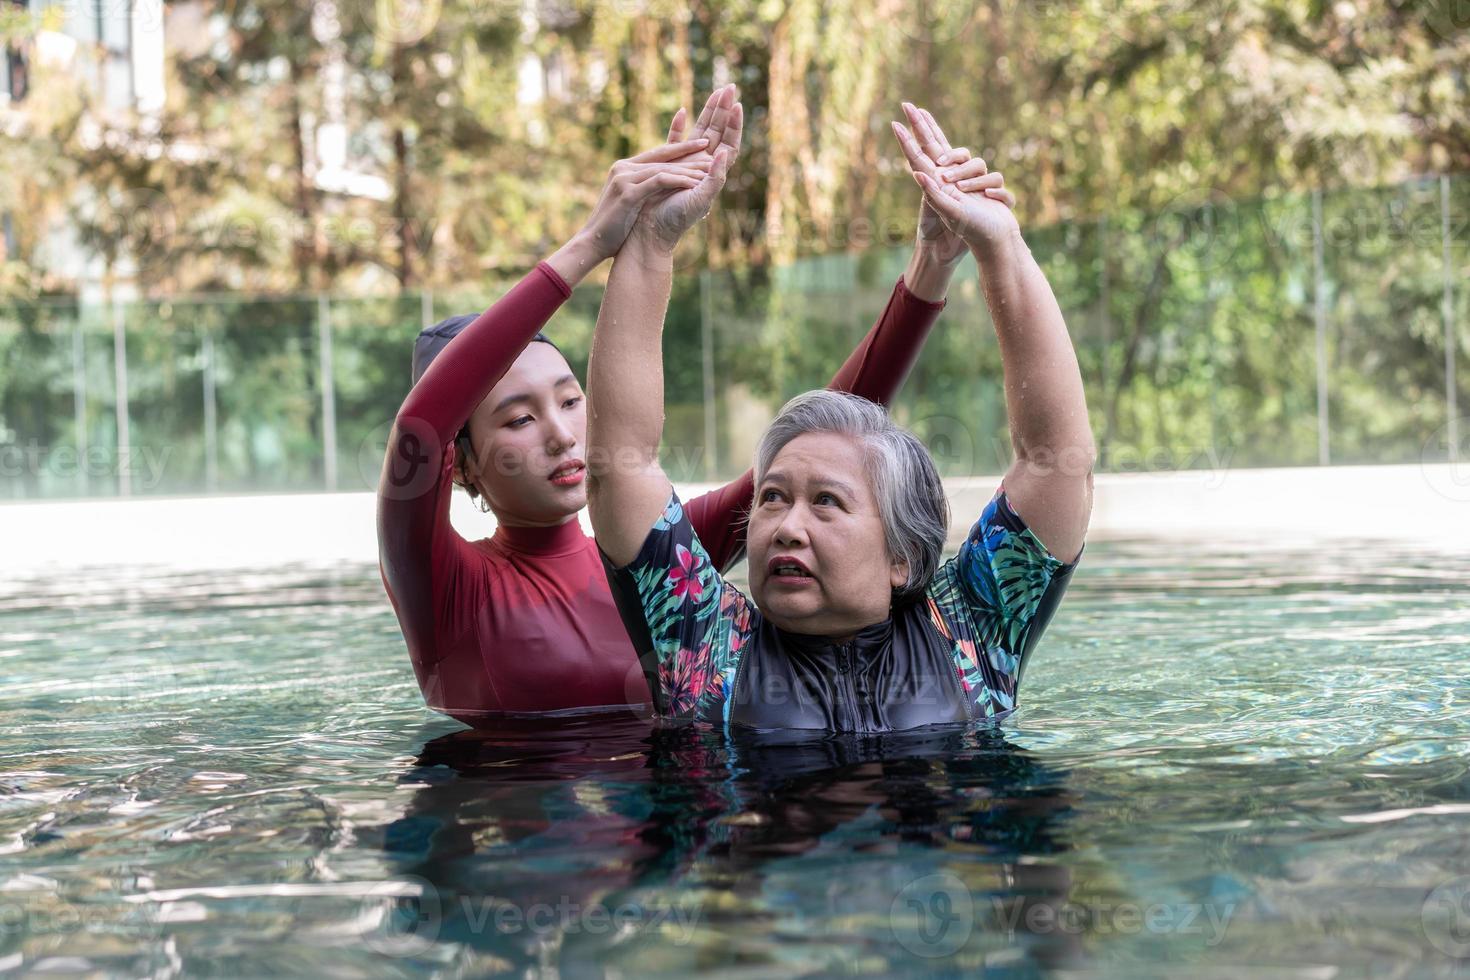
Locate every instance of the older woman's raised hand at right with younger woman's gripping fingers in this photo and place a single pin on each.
(964, 201)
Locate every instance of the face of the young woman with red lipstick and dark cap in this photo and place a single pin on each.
(530, 442)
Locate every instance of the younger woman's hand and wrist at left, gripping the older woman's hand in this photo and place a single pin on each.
(633, 184)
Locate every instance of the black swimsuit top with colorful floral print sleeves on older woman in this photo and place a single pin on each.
(956, 655)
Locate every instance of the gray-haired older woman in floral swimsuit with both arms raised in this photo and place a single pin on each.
(852, 621)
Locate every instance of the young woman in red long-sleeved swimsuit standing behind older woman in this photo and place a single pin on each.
(524, 621)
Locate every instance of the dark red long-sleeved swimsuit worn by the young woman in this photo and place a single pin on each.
(526, 621)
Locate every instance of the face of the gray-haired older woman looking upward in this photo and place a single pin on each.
(818, 556)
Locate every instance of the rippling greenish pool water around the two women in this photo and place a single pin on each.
(1227, 760)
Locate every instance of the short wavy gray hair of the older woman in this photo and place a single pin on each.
(911, 497)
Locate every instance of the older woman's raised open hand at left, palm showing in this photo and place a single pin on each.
(664, 223)
